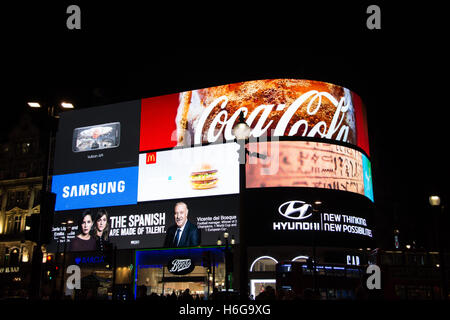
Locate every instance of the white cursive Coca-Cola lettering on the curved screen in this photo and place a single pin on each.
(222, 124)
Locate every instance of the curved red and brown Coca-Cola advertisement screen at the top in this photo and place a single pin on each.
(274, 107)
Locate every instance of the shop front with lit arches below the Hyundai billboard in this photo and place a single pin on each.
(289, 270)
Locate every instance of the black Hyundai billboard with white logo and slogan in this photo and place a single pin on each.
(291, 216)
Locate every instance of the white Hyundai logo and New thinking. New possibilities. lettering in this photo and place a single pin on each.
(300, 216)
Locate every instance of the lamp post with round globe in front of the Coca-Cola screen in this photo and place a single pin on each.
(241, 131)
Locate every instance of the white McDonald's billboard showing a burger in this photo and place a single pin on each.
(189, 172)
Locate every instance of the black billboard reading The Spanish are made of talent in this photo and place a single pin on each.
(148, 224)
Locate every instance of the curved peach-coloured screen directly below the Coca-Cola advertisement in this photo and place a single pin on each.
(309, 164)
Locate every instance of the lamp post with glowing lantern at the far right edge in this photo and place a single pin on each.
(435, 202)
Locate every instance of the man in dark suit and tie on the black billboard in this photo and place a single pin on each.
(183, 233)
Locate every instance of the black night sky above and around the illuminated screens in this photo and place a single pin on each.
(128, 52)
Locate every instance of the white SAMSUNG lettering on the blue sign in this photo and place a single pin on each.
(93, 189)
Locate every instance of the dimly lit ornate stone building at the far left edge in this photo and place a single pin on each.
(21, 166)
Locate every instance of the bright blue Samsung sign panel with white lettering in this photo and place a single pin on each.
(113, 187)
